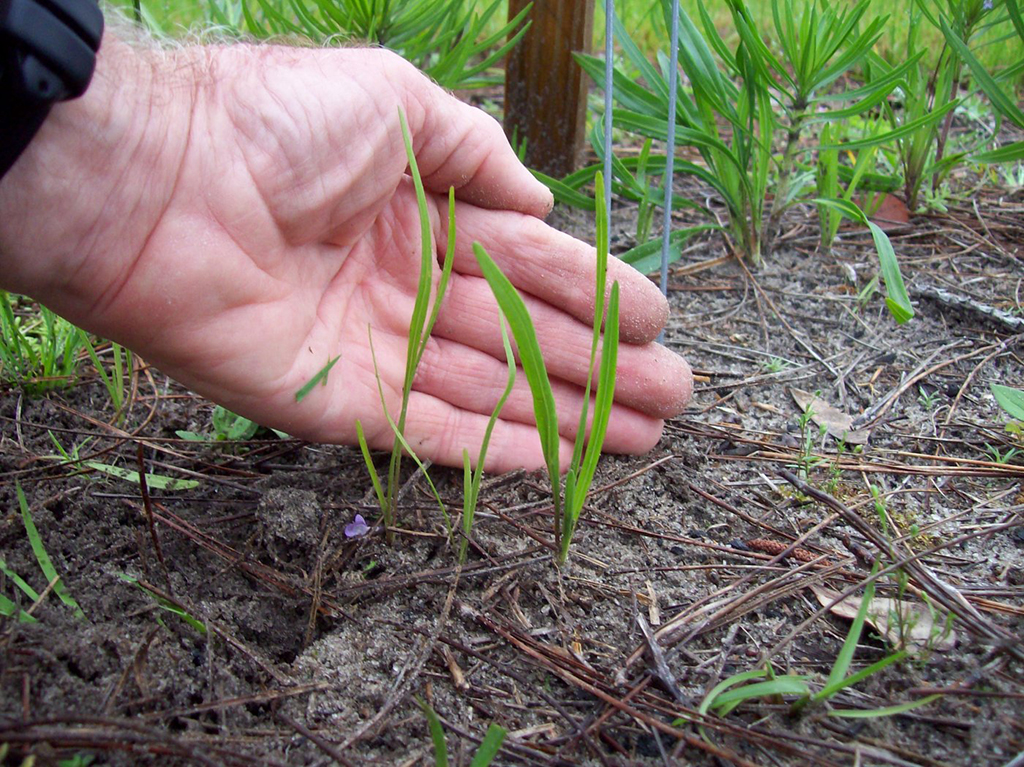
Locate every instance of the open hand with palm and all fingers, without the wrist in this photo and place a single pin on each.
(292, 229)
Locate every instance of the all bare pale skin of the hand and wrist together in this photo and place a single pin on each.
(240, 216)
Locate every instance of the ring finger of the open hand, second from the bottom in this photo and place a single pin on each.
(475, 381)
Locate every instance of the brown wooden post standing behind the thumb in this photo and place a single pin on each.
(545, 90)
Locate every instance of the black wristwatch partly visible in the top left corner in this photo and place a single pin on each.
(48, 55)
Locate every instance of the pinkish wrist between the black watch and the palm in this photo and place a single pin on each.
(82, 199)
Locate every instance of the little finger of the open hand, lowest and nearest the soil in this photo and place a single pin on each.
(441, 433)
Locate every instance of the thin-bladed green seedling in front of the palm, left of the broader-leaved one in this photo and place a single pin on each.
(419, 333)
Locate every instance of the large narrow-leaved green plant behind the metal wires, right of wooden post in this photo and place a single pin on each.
(819, 46)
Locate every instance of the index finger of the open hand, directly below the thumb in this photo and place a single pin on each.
(558, 269)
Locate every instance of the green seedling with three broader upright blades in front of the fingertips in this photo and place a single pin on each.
(584, 462)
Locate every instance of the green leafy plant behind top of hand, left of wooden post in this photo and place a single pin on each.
(451, 42)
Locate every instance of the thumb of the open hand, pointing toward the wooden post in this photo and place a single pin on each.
(459, 146)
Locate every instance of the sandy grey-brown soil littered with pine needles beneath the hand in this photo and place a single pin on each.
(316, 645)
